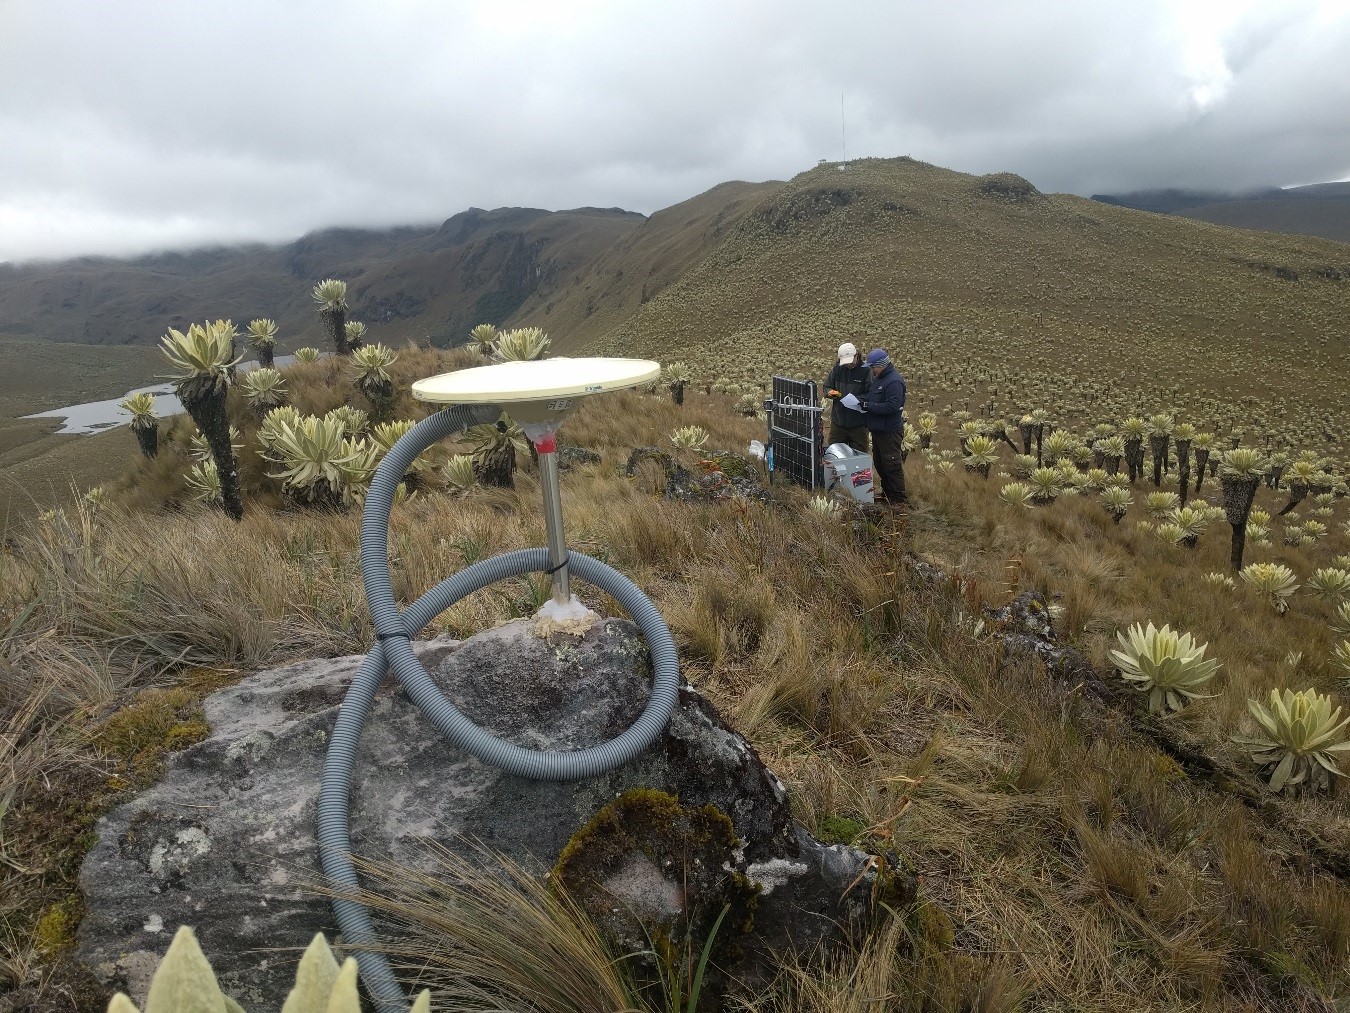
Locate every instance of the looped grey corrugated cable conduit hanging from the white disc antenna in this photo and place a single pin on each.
(394, 652)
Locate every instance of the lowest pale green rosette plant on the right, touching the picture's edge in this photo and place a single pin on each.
(1301, 737)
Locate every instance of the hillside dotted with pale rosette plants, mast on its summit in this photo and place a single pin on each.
(983, 287)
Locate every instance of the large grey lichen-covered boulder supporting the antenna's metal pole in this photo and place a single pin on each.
(226, 842)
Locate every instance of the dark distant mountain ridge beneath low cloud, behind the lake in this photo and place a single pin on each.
(423, 283)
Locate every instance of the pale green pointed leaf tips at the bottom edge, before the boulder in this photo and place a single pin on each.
(186, 984)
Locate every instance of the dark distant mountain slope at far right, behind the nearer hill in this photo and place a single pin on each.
(1320, 210)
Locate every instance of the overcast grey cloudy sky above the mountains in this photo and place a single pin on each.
(146, 125)
